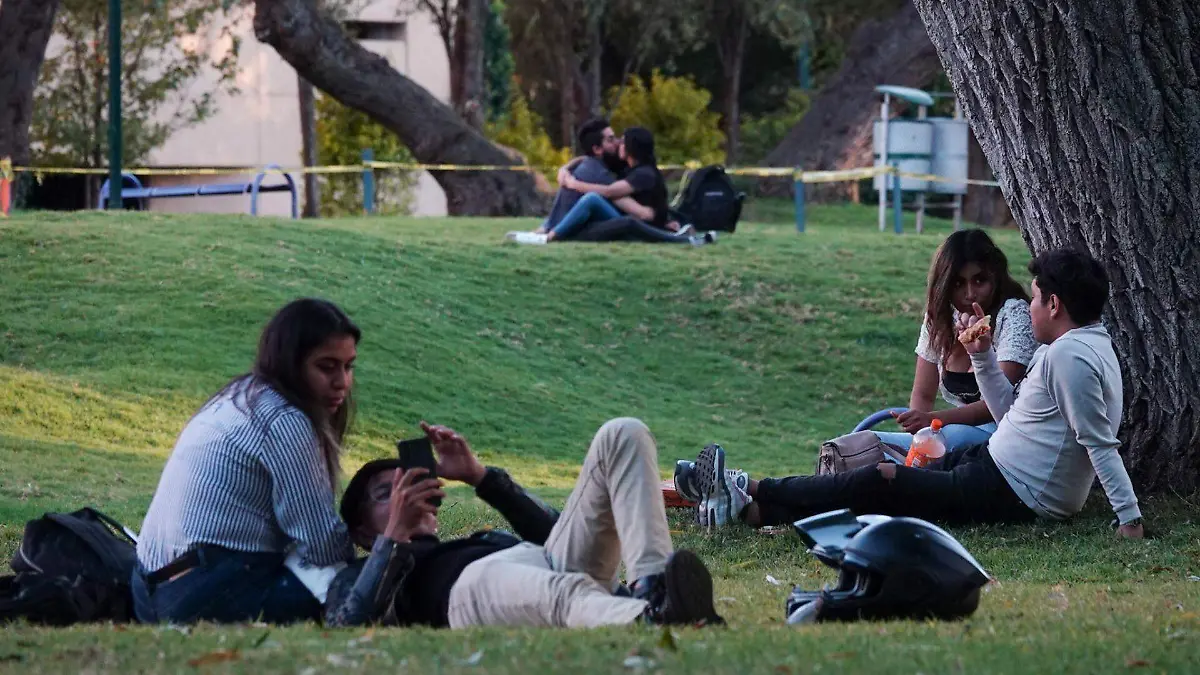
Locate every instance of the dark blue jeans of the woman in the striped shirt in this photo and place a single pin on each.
(226, 588)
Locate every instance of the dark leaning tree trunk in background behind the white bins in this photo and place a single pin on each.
(836, 134)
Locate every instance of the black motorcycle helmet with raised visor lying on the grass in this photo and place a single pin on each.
(890, 569)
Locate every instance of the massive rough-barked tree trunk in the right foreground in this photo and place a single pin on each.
(1090, 115)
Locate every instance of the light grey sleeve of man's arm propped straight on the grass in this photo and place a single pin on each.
(1077, 387)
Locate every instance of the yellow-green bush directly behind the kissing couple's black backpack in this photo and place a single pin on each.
(676, 111)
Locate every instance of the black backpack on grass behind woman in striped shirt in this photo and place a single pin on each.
(71, 569)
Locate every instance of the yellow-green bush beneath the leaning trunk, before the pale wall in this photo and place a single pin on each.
(343, 134)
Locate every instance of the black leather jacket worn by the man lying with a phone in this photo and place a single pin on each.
(374, 589)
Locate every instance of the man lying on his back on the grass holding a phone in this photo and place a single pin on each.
(565, 575)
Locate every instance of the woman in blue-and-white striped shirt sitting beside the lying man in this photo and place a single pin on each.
(251, 479)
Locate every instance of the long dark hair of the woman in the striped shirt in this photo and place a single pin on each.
(293, 333)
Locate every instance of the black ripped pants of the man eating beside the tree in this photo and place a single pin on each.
(963, 487)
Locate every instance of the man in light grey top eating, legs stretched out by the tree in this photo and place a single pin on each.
(1058, 433)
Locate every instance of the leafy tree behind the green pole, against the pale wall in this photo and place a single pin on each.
(167, 47)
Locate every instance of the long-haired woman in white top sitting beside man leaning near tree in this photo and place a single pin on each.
(968, 270)
